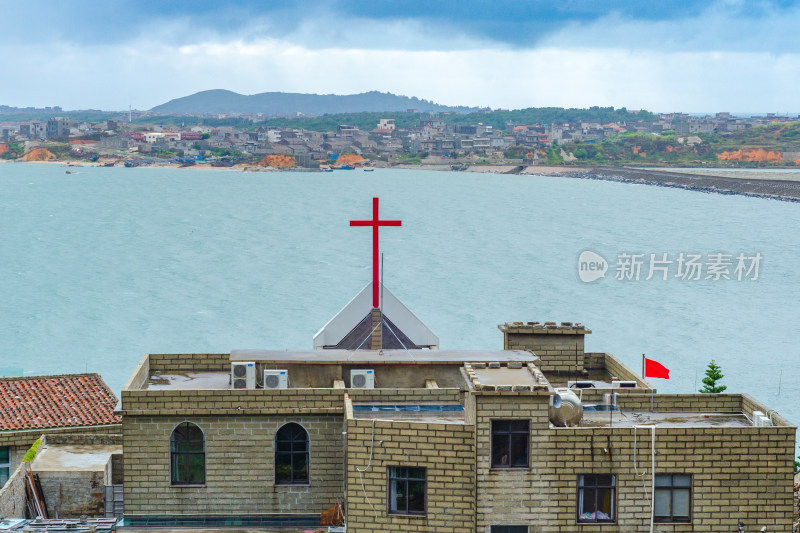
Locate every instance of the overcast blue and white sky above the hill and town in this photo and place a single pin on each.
(693, 56)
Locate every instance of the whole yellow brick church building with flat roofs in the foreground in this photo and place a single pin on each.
(538, 437)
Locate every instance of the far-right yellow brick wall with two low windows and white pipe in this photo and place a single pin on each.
(737, 473)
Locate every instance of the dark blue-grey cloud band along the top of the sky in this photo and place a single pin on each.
(447, 23)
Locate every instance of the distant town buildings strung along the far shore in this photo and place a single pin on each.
(433, 135)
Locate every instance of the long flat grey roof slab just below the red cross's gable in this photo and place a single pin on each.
(384, 357)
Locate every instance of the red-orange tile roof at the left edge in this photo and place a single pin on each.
(44, 402)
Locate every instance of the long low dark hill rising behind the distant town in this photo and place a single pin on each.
(221, 101)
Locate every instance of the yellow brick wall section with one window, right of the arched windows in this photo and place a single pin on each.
(447, 451)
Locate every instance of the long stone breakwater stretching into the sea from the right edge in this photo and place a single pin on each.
(785, 190)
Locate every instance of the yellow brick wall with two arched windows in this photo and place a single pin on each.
(239, 467)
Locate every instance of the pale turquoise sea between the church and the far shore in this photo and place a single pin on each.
(102, 266)
